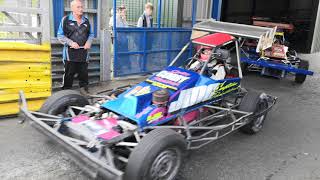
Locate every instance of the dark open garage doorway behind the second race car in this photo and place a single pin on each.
(300, 13)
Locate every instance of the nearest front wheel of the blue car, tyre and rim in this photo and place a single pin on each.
(158, 156)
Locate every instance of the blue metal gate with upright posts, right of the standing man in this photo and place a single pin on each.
(146, 50)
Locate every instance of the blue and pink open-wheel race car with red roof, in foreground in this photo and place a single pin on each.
(142, 132)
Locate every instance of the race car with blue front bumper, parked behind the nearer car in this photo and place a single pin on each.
(278, 60)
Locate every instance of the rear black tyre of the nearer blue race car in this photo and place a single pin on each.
(253, 102)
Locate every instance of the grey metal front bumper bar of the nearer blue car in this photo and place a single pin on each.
(92, 165)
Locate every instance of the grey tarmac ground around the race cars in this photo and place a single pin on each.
(288, 148)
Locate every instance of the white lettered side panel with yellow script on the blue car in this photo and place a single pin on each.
(193, 96)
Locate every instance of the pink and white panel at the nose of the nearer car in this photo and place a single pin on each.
(104, 126)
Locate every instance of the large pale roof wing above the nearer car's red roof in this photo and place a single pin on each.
(265, 35)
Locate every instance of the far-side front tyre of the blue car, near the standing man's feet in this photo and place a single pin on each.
(58, 103)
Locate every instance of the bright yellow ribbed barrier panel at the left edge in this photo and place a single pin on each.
(24, 67)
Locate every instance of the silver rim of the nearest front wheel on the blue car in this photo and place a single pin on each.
(166, 165)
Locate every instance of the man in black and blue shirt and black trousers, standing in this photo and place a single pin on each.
(75, 33)
